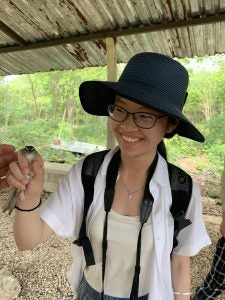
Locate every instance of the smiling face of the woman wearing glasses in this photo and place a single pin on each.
(133, 140)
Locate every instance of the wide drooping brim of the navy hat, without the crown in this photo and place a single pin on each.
(96, 96)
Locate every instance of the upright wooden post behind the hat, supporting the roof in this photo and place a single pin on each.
(111, 76)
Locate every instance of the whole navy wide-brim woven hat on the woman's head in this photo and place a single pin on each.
(150, 79)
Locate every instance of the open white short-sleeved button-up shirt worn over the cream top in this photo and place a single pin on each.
(64, 210)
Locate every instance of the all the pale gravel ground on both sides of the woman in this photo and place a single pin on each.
(42, 272)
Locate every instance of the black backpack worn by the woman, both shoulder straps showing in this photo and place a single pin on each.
(181, 189)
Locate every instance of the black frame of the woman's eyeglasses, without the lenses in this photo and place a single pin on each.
(113, 106)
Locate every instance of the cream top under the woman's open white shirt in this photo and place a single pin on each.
(121, 254)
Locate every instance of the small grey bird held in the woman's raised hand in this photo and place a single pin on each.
(29, 152)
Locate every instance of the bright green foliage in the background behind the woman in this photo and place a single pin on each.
(40, 108)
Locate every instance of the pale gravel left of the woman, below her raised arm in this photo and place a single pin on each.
(41, 272)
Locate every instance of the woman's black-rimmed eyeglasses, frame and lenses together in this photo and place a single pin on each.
(141, 119)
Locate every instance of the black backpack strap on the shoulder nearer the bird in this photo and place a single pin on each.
(89, 171)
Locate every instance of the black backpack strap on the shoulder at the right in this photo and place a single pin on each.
(181, 189)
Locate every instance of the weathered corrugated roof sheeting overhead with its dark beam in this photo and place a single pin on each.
(77, 28)
